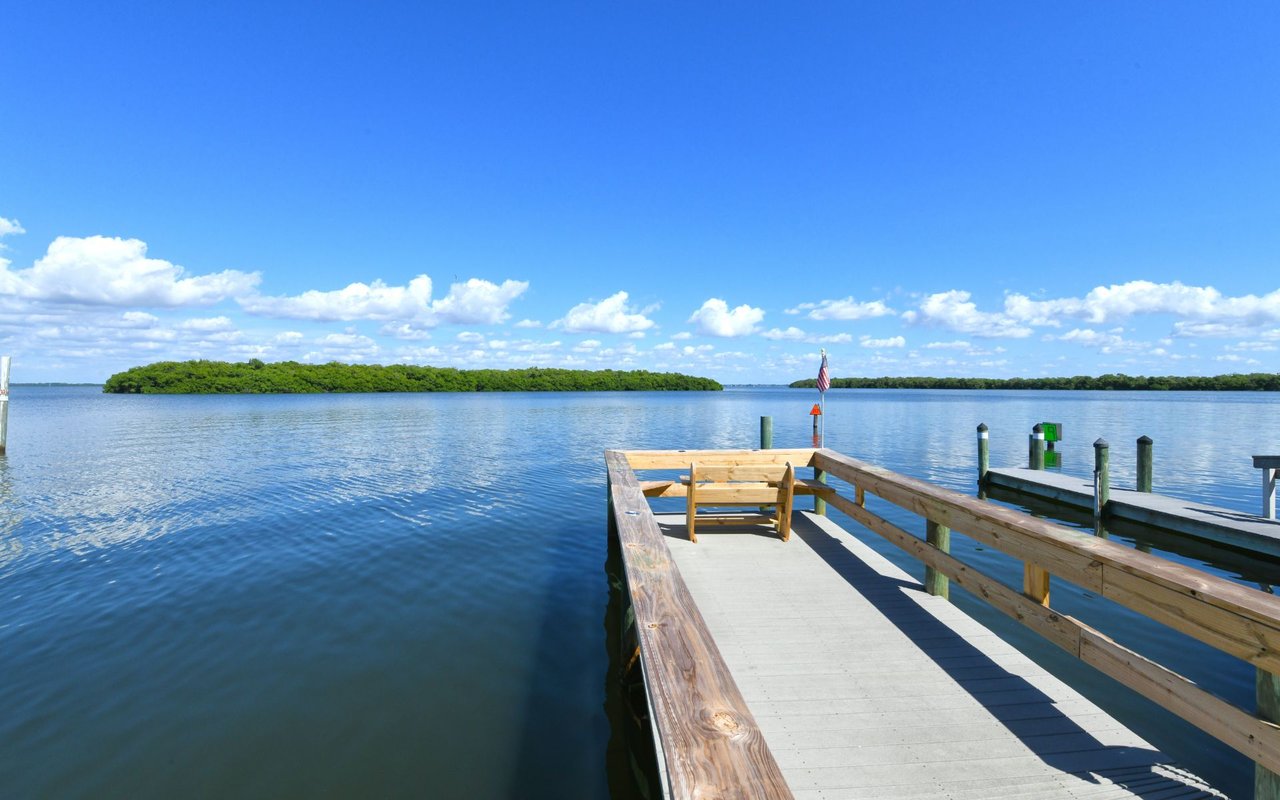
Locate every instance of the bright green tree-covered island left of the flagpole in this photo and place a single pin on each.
(257, 377)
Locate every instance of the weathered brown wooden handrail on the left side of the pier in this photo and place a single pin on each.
(707, 737)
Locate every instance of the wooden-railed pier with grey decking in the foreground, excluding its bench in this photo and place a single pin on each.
(816, 669)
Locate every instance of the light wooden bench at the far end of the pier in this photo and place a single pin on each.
(720, 486)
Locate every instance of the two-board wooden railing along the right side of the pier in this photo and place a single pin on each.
(1235, 619)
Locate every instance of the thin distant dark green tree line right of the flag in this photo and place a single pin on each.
(1252, 382)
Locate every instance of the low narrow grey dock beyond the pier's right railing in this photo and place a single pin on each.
(1237, 529)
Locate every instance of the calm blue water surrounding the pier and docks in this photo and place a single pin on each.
(405, 596)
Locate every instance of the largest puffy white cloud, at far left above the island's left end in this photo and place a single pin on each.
(113, 272)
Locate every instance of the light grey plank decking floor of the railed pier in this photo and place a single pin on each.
(866, 687)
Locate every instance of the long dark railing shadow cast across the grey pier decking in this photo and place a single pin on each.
(1026, 711)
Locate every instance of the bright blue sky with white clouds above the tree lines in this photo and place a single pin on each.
(924, 189)
